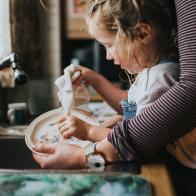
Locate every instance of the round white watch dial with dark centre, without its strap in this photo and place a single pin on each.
(95, 162)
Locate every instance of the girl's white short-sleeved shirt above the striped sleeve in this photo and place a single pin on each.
(151, 83)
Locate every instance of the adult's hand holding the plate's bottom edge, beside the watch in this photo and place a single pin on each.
(60, 156)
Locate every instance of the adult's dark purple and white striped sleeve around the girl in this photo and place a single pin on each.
(174, 113)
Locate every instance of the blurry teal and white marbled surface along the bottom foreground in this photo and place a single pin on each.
(72, 185)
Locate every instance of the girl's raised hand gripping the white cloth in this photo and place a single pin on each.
(87, 76)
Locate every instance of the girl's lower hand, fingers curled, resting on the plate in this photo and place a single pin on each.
(72, 126)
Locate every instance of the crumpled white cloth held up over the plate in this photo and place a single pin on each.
(69, 95)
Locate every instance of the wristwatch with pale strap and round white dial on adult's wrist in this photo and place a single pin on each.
(93, 160)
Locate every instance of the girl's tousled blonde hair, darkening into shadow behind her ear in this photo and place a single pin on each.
(122, 16)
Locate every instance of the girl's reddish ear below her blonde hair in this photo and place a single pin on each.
(143, 33)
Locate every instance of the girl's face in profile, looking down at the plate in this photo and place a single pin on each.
(116, 51)
